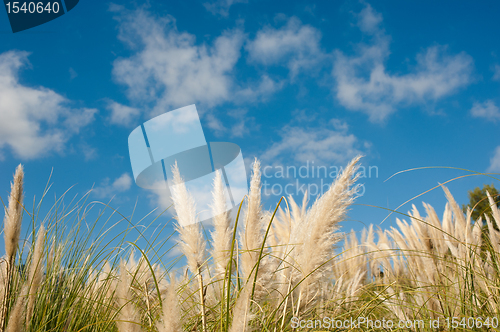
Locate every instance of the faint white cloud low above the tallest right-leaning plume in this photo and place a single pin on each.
(319, 145)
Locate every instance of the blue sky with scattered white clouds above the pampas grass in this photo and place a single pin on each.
(406, 84)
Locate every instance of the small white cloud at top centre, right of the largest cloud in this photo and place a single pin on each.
(295, 44)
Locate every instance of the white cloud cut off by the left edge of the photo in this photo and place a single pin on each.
(34, 121)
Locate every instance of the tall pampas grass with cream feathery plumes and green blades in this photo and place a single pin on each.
(280, 269)
